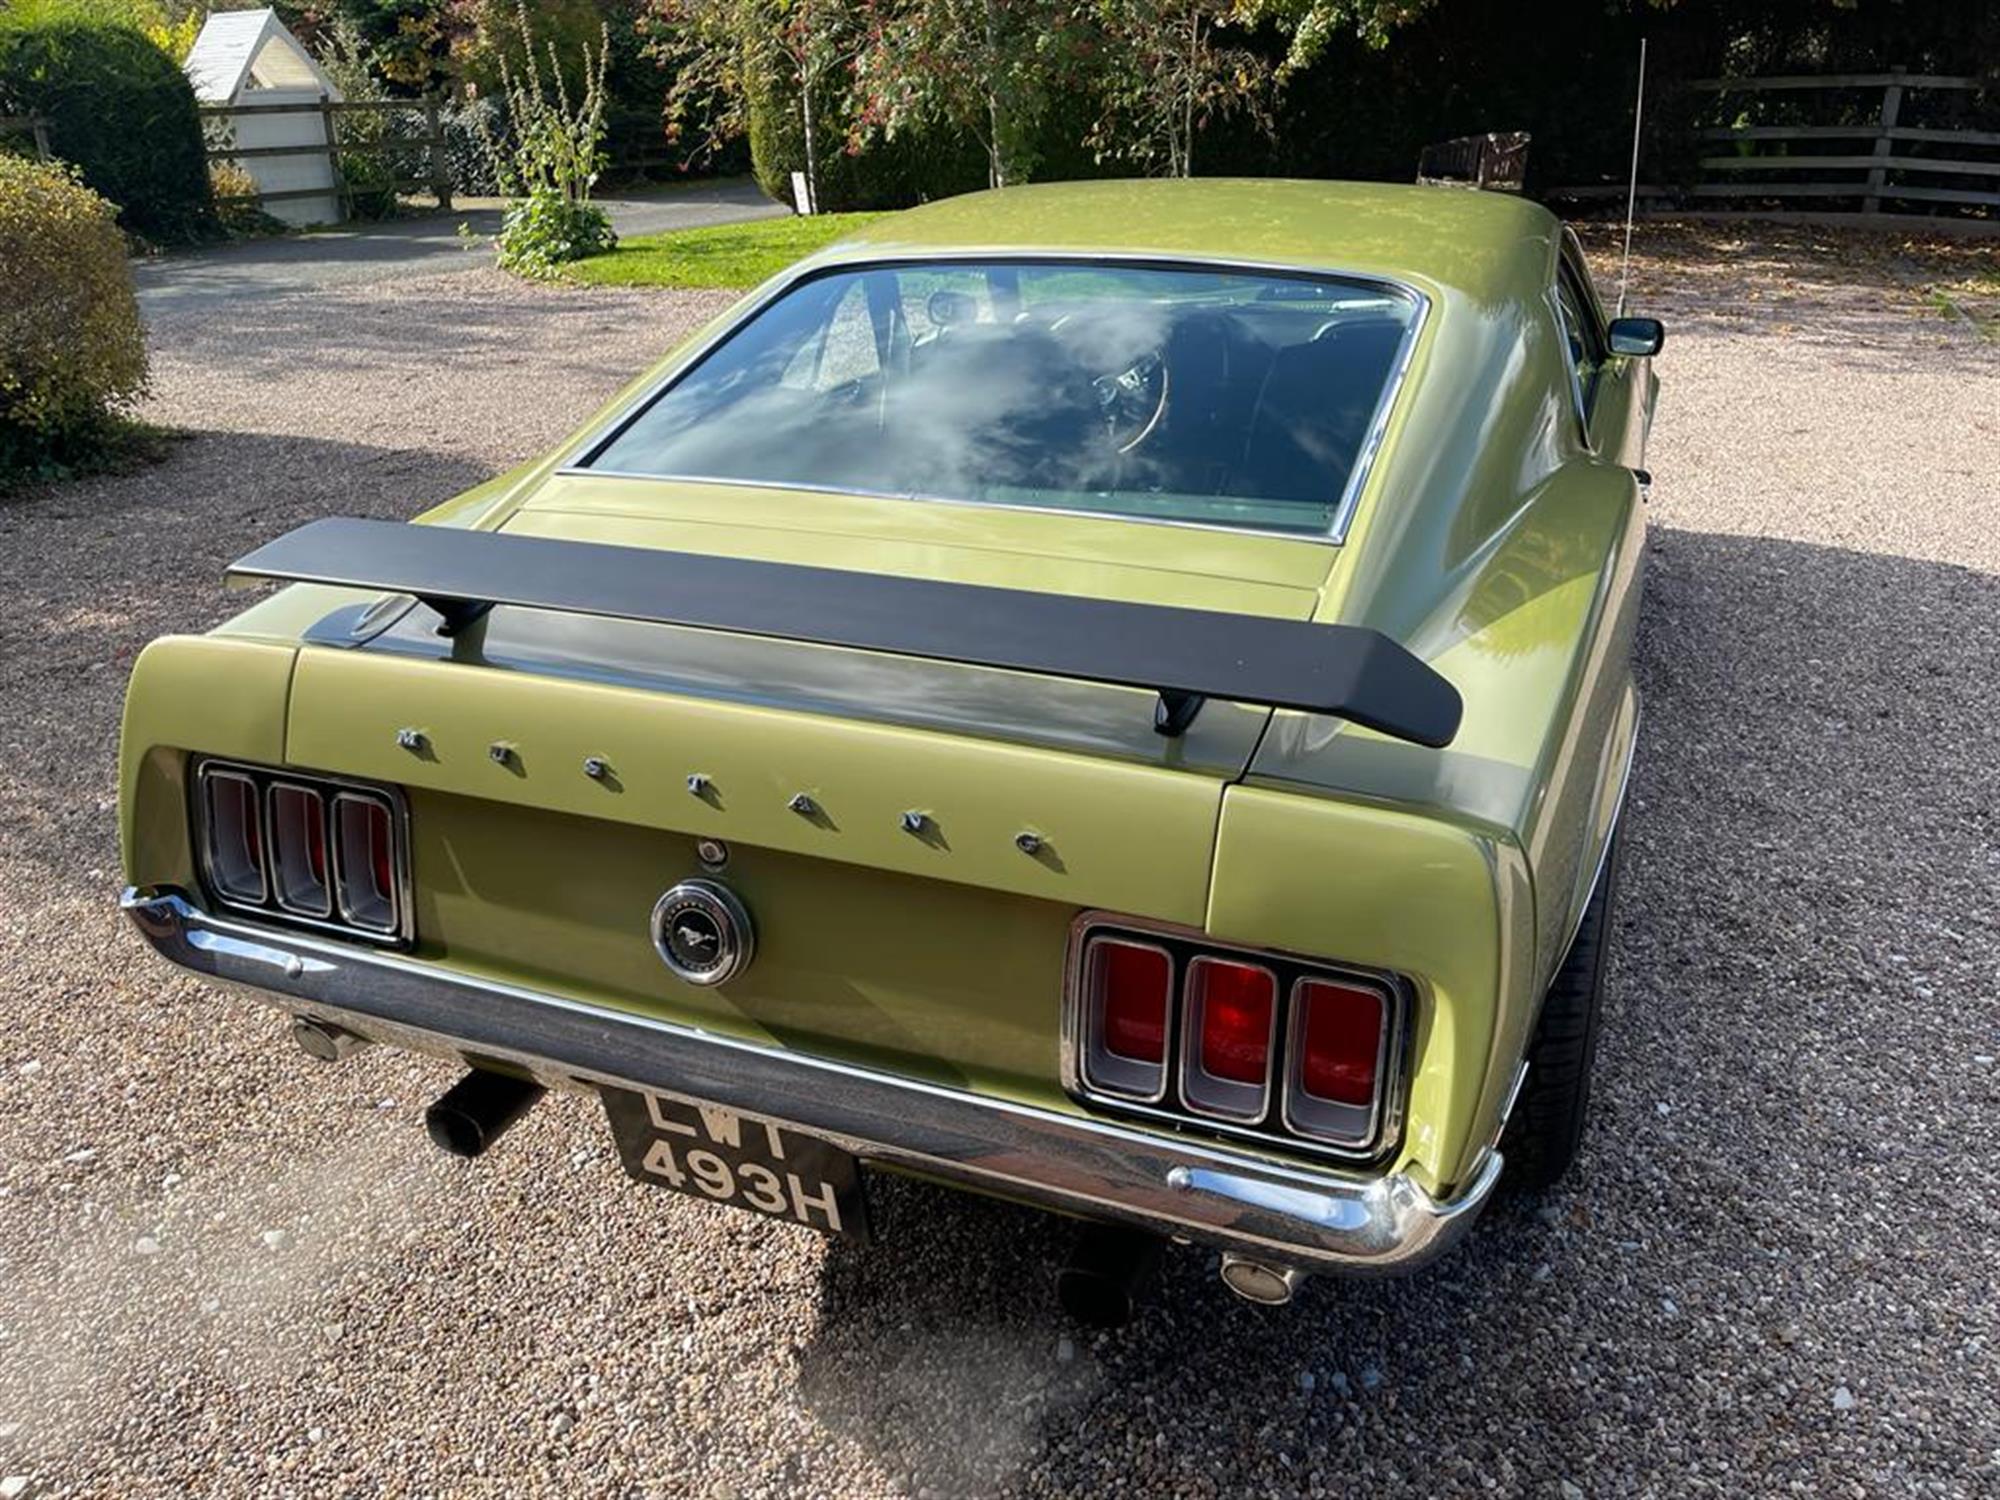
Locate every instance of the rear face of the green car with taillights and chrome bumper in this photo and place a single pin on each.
(1131, 991)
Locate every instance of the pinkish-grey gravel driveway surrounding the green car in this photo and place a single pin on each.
(225, 1271)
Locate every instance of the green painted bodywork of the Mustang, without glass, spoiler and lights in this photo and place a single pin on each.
(1493, 535)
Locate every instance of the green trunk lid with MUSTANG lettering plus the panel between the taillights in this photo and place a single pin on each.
(941, 947)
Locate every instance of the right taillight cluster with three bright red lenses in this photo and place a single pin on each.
(1249, 1043)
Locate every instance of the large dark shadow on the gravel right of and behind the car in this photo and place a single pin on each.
(1783, 1057)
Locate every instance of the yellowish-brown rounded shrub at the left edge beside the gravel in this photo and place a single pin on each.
(71, 347)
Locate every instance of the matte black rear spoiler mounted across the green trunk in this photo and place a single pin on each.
(1183, 655)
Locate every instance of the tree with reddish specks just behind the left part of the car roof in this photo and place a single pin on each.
(981, 67)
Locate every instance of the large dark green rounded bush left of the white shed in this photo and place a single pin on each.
(121, 111)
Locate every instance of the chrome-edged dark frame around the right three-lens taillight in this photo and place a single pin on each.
(1395, 1077)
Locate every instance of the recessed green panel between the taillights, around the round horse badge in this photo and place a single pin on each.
(955, 985)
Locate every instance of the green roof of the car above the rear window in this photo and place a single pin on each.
(1483, 245)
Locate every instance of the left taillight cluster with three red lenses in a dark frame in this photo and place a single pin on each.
(305, 849)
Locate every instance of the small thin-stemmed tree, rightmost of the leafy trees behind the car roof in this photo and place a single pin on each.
(1165, 79)
